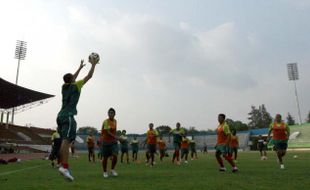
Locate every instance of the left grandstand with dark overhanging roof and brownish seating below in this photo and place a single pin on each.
(31, 139)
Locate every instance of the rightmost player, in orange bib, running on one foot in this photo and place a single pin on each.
(281, 133)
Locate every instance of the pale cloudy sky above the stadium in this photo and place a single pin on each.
(161, 61)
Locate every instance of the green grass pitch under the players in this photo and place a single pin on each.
(198, 174)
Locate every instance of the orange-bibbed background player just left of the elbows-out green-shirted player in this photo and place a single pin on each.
(151, 141)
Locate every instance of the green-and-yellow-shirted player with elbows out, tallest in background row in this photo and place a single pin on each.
(177, 133)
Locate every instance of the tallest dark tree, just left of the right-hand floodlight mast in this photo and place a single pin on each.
(259, 118)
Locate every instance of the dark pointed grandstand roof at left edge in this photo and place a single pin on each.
(12, 95)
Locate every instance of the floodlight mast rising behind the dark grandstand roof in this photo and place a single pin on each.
(20, 54)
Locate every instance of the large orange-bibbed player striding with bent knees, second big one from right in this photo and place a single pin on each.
(223, 139)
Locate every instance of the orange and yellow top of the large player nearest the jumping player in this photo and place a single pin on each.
(108, 125)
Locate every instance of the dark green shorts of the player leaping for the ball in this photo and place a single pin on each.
(66, 127)
